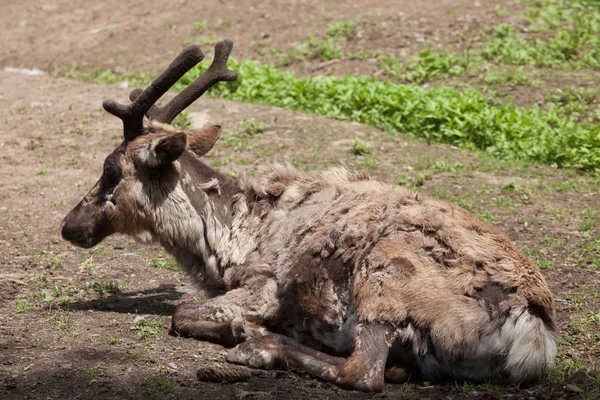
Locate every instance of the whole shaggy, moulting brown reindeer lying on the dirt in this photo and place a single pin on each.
(328, 273)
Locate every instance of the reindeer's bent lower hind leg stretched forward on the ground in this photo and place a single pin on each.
(363, 370)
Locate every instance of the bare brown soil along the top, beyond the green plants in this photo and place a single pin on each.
(136, 35)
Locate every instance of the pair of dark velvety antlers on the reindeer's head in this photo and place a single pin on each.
(143, 101)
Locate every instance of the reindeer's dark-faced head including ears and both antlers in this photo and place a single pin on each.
(148, 162)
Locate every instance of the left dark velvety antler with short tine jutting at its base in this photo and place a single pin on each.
(143, 101)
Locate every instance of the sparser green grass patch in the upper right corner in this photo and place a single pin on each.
(559, 34)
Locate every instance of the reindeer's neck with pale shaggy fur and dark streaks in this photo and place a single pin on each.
(207, 233)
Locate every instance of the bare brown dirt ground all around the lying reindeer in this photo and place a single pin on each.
(93, 323)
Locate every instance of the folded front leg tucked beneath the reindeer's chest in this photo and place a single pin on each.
(229, 319)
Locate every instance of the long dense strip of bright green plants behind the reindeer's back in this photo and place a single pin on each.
(465, 119)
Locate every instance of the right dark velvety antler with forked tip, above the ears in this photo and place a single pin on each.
(215, 73)
